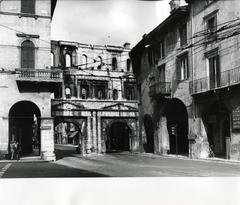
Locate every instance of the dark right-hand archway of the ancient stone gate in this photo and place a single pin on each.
(118, 137)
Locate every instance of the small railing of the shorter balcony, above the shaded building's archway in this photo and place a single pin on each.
(160, 88)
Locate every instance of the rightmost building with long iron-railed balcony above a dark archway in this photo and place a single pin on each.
(216, 75)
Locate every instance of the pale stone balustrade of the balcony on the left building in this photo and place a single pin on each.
(39, 75)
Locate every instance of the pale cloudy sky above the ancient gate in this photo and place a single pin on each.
(107, 22)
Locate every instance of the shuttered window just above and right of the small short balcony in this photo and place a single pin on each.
(182, 67)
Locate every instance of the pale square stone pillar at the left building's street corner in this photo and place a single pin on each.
(47, 139)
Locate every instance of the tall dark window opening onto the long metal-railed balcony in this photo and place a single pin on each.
(214, 71)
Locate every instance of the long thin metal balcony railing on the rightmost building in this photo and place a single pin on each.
(226, 78)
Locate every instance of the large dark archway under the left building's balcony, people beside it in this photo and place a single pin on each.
(24, 127)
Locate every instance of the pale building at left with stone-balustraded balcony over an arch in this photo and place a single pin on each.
(26, 77)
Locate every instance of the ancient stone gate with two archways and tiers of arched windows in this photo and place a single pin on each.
(96, 106)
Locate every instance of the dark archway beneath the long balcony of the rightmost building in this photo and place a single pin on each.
(217, 122)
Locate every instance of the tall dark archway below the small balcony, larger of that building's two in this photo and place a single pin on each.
(177, 125)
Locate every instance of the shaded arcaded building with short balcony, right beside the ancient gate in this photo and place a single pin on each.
(162, 66)
